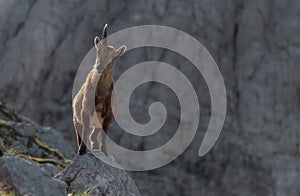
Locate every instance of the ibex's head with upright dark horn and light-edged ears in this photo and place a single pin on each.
(106, 54)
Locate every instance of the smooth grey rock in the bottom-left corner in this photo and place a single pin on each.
(27, 178)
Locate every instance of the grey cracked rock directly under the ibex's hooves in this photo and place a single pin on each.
(89, 173)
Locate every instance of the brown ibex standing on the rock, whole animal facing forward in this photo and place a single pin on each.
(97, 89)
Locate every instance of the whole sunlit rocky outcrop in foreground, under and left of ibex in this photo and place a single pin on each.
(32, 155)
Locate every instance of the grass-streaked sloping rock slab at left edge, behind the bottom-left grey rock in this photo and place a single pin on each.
(19, 136)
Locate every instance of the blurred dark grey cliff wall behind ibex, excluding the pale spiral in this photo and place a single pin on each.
(255, 43)
